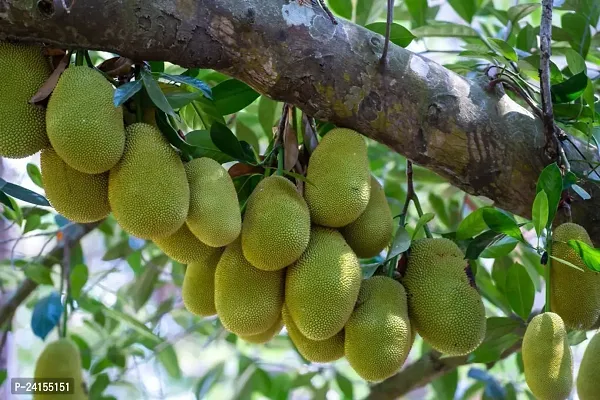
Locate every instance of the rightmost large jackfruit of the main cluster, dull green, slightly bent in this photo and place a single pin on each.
(444, 306)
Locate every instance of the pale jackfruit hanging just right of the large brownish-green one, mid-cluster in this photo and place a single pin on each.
(214, 215)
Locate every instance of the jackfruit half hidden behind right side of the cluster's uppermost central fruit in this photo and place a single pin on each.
(372, 231)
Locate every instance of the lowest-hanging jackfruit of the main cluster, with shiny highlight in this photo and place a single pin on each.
(378, 333)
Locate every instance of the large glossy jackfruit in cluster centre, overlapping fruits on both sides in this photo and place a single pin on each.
(322, 286)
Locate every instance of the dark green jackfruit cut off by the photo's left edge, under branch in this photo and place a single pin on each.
(23, 126)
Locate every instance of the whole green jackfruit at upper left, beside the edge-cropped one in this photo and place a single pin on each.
(84, 126)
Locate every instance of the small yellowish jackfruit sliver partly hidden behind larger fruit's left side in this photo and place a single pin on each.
(198, 289)
